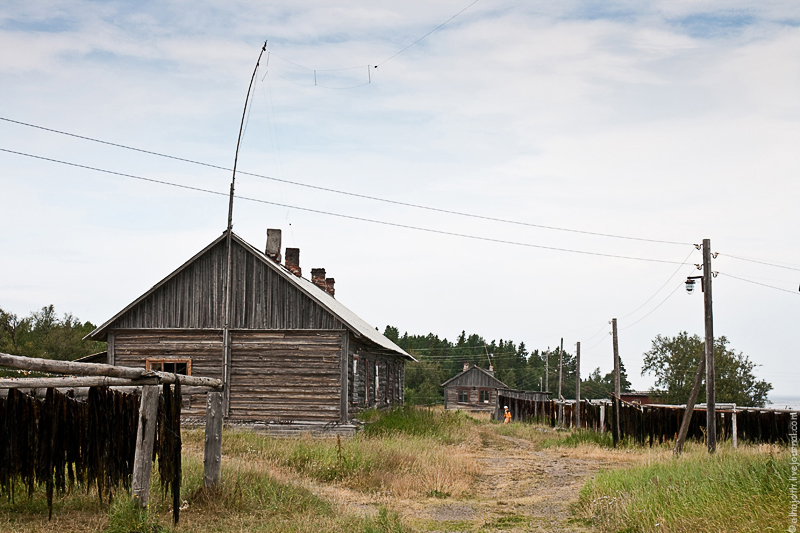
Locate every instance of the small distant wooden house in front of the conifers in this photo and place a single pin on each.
(474, 389)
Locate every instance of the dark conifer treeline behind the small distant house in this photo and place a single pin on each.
(516, 366)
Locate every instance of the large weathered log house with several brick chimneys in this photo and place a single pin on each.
(298, 357)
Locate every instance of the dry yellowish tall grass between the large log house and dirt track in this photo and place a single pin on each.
(406, 453)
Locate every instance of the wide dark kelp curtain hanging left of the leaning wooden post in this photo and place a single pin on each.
(60, 441)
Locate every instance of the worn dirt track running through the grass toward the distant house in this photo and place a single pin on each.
(520, 487)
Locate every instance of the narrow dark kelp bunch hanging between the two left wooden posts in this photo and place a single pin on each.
(168, 444)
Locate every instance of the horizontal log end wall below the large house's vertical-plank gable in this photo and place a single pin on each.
(279, 377)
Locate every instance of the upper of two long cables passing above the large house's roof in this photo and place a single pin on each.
(348, 193)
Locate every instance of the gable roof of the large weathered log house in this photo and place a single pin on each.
(350, 320)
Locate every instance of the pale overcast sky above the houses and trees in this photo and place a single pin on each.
(671, 121)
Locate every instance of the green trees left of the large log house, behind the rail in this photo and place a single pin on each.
(45, 334)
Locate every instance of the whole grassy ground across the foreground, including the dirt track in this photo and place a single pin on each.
(421, 469)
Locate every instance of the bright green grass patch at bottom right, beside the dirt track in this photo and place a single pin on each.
(734, 490)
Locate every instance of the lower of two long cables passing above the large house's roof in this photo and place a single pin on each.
(351, 217)
